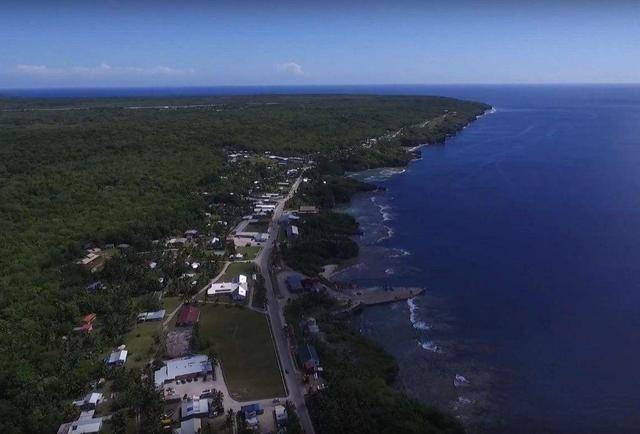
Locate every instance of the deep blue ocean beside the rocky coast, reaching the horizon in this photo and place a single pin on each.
(525, 230)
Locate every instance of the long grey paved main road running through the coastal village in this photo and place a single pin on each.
(274, 308)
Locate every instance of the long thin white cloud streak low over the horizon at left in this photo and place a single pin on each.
(102, 70)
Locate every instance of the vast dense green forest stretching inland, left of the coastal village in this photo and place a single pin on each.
(108, 171)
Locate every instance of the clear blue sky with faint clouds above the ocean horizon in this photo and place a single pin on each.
(197, 43)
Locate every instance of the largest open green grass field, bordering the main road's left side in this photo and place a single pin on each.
(242, 339)
